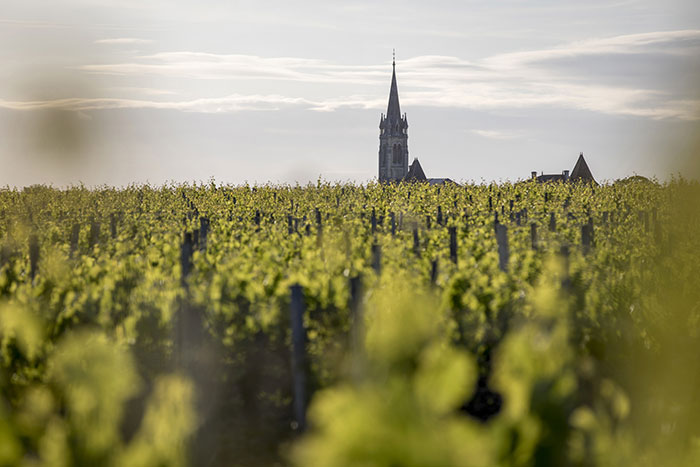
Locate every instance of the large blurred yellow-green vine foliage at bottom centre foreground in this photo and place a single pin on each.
(402, 411)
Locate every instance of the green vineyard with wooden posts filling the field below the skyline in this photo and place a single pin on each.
(342, 325)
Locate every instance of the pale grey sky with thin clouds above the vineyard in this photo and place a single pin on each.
(135, 91)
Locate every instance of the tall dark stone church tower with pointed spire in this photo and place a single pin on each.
(393, 137)
